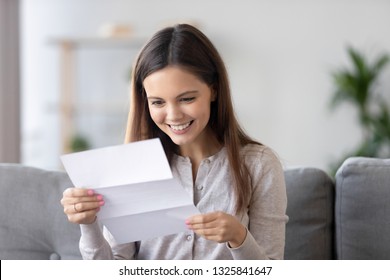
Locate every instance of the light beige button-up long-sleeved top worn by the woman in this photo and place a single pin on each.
(265, 217)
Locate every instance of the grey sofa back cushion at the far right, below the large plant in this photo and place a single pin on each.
(363, 209)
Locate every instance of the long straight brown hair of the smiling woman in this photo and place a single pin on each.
(185, 46)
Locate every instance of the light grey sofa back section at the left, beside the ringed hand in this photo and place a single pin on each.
(33, 224)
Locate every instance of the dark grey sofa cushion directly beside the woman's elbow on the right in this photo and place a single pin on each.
(309, 231)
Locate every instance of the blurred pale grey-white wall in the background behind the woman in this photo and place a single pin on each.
(279, 55)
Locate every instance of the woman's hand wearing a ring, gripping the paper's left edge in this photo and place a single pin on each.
(81, 205)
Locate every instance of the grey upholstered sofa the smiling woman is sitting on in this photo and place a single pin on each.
(347, 217)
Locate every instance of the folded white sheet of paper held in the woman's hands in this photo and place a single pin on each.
(142, 199)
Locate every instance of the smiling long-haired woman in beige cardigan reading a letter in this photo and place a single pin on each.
(181, 95)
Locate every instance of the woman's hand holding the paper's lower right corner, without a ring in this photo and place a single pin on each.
(219, 227)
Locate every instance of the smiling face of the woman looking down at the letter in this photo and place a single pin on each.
(179, 104)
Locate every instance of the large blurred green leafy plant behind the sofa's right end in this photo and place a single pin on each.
(357, 86)
